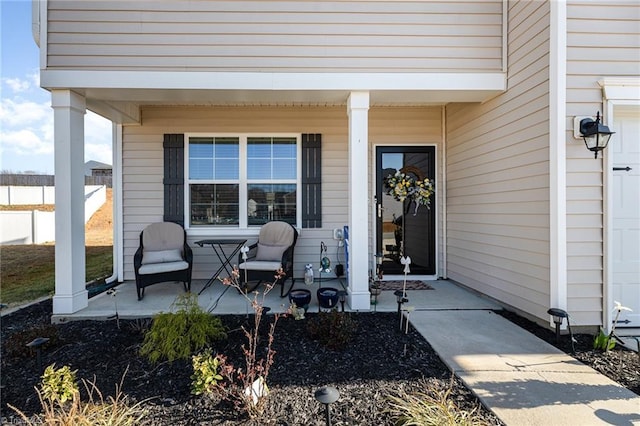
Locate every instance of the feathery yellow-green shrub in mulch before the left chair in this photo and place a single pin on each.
(178, 335)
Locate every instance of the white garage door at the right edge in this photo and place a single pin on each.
(625, 146)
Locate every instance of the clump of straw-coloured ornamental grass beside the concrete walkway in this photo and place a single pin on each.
(431, 407)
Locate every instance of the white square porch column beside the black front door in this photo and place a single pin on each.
(358, 111)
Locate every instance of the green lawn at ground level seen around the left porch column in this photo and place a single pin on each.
(28, 271)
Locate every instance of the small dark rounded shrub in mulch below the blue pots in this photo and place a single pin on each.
(333, 329)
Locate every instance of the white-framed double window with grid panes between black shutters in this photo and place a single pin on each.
(241, 181)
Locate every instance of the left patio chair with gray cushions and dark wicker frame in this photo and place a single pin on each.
(163, 256)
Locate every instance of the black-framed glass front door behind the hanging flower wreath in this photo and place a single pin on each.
(402, 227)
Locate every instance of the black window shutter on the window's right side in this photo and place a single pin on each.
(311, 180)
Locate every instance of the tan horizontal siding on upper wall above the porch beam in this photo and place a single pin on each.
(276, 36)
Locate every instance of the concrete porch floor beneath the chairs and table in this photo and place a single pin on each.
(222, 300)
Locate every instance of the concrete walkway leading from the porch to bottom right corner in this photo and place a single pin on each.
(521, 378)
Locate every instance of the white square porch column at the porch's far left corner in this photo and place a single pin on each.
(69, 109)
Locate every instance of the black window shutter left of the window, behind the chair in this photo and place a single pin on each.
(173, 178)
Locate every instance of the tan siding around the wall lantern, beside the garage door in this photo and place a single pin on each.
(603, 40)
